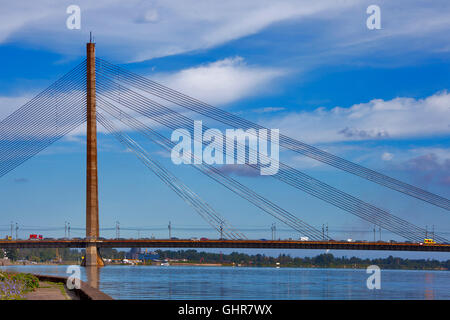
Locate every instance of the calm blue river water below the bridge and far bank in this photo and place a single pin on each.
(183, 282)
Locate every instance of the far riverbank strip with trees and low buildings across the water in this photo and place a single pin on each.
(192, 257)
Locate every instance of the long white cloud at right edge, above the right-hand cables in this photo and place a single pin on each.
(378, 119)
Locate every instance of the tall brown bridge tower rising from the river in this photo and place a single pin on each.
(92, 257)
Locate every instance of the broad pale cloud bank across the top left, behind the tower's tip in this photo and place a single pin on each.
(139, 30)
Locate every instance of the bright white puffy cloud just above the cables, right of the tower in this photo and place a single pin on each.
(222, 81)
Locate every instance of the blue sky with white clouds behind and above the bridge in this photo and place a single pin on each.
(376, 97)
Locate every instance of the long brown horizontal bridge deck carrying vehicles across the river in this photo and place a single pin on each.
(256, 244)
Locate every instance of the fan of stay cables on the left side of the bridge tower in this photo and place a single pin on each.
(39, 122)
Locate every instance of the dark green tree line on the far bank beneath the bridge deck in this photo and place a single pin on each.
(325, 260)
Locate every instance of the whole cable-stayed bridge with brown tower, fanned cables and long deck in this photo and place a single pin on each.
(96, 91)
